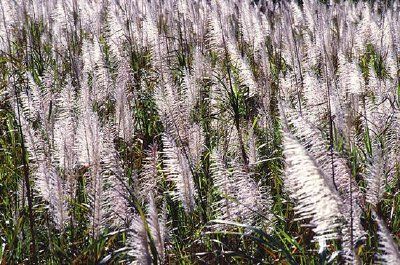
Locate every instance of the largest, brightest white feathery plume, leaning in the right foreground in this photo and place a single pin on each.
(316, 198)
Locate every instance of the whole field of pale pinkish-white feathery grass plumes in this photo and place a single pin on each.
(228, 49)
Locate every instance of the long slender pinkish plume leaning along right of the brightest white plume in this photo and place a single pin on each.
(337, 176)
